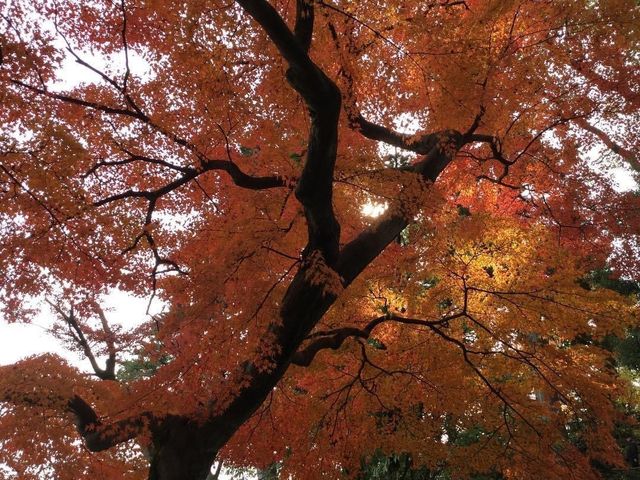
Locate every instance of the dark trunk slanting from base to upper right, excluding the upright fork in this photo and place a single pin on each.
(185, 450)
